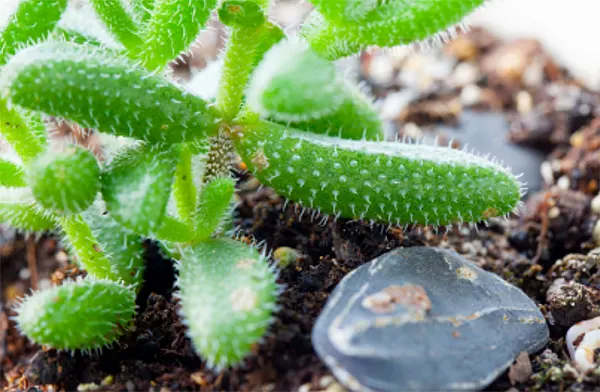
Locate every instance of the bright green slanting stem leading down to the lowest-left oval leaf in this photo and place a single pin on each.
(87, 248)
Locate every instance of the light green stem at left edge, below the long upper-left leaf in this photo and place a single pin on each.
(24, 132)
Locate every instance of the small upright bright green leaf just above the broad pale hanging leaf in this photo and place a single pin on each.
(215, 202)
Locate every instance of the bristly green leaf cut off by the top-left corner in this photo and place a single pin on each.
(33, 21)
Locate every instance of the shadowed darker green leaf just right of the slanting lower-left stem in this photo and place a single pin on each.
(123, 248)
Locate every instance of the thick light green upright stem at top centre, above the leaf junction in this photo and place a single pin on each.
(245, 49)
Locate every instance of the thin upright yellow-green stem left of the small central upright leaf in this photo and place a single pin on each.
(184, 189)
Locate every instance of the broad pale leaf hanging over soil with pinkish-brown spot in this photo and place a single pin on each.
(228, 294)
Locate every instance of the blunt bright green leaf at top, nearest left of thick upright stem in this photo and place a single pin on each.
(171, 29)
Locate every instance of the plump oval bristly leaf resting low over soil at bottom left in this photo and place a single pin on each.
(83, 314)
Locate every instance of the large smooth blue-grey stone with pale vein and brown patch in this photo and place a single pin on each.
(447, 324)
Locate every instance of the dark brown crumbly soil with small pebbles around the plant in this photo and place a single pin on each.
(548, 245)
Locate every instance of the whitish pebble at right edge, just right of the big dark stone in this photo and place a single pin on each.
(583, 353)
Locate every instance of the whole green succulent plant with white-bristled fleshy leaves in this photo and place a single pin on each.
(297, 124)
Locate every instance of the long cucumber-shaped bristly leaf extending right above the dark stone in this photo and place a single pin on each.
(382, 181)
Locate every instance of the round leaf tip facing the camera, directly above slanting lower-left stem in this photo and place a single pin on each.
(65, 181)
